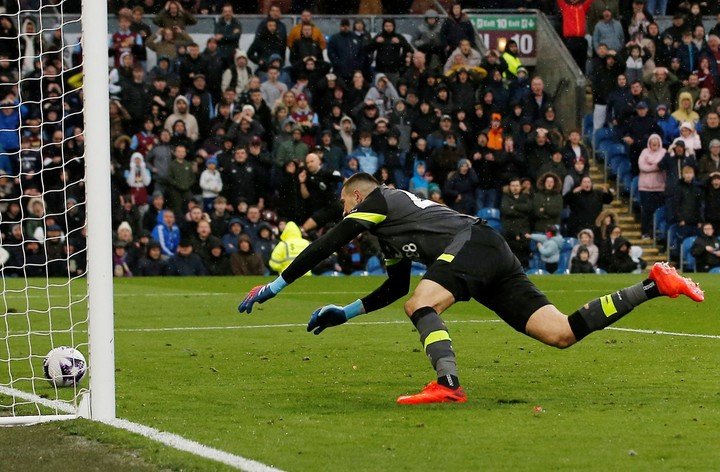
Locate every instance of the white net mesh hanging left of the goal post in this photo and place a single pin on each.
(42, 202)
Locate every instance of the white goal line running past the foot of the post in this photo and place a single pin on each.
(169, 439)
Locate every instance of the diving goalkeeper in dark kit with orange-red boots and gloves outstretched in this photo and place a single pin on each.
(465, 259)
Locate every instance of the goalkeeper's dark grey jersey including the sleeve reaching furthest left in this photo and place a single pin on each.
(406, 226)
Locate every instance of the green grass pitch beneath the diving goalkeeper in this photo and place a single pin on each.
(304, 403)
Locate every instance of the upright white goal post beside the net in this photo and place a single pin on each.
(97, 166)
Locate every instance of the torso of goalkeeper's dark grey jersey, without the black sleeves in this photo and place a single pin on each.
(410, 227)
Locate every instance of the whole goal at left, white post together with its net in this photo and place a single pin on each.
(54, 210)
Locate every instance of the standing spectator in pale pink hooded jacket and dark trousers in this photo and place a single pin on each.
(651, 183)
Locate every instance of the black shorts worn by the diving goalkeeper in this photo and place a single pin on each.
(486, 269)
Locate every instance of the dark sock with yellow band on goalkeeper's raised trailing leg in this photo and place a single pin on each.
(604, 311)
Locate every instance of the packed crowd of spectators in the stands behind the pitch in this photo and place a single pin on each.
(228, 161)
